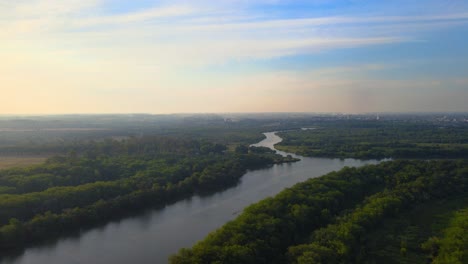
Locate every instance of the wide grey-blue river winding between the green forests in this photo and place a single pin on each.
(152, 237)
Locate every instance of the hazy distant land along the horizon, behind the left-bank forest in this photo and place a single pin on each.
(50, 135)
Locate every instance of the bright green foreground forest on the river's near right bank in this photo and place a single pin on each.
(336, 219)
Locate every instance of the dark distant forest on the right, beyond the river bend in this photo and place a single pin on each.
(370, 139)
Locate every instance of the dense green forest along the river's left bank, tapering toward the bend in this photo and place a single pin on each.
(110, 179)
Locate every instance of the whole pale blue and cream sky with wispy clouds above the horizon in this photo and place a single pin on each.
(200, 56)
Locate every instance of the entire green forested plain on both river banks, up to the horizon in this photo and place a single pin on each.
(104, 168)
